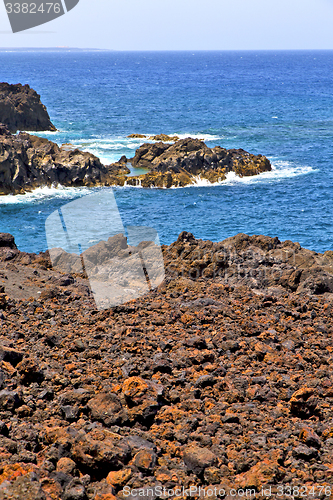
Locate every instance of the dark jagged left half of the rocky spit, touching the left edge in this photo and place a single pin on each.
(28, 162)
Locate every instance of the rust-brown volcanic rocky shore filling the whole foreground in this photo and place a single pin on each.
(220, 378)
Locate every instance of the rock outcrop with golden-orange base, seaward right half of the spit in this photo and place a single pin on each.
(183, 162)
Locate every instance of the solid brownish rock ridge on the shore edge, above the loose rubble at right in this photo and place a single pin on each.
(260, 262)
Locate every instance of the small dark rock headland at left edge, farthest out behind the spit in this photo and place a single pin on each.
(21, 109)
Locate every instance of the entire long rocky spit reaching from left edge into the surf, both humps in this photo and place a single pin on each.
(28, 162)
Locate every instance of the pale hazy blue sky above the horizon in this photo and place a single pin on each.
(183, 25)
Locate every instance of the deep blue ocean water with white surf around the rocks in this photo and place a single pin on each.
(279, 104)
